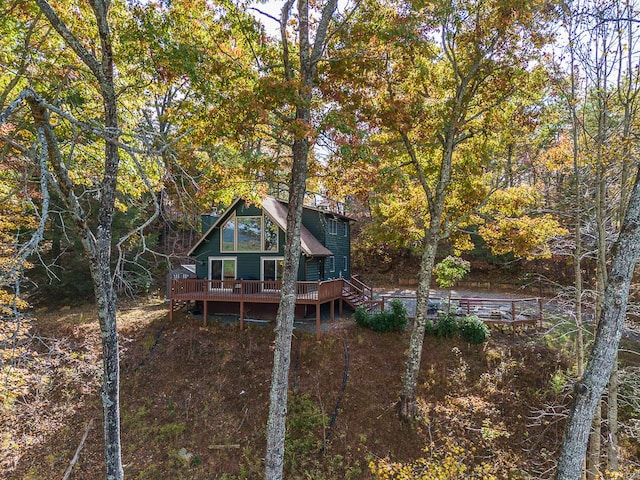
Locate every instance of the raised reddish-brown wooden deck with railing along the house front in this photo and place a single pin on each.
(254, 291)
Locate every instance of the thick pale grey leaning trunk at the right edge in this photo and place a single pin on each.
(589, 390)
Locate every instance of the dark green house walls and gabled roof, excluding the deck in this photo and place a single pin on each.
(247, 242)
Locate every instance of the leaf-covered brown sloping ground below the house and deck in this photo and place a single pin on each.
(194, 400)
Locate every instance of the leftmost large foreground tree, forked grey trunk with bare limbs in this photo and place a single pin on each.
(96, 241)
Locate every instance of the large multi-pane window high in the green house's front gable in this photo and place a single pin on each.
(249, 234)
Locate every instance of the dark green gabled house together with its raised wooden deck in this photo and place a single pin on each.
(240, 257)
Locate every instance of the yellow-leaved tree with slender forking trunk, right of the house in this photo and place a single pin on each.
(429, 80)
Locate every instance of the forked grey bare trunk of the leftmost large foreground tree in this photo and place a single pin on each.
(97, 246)
